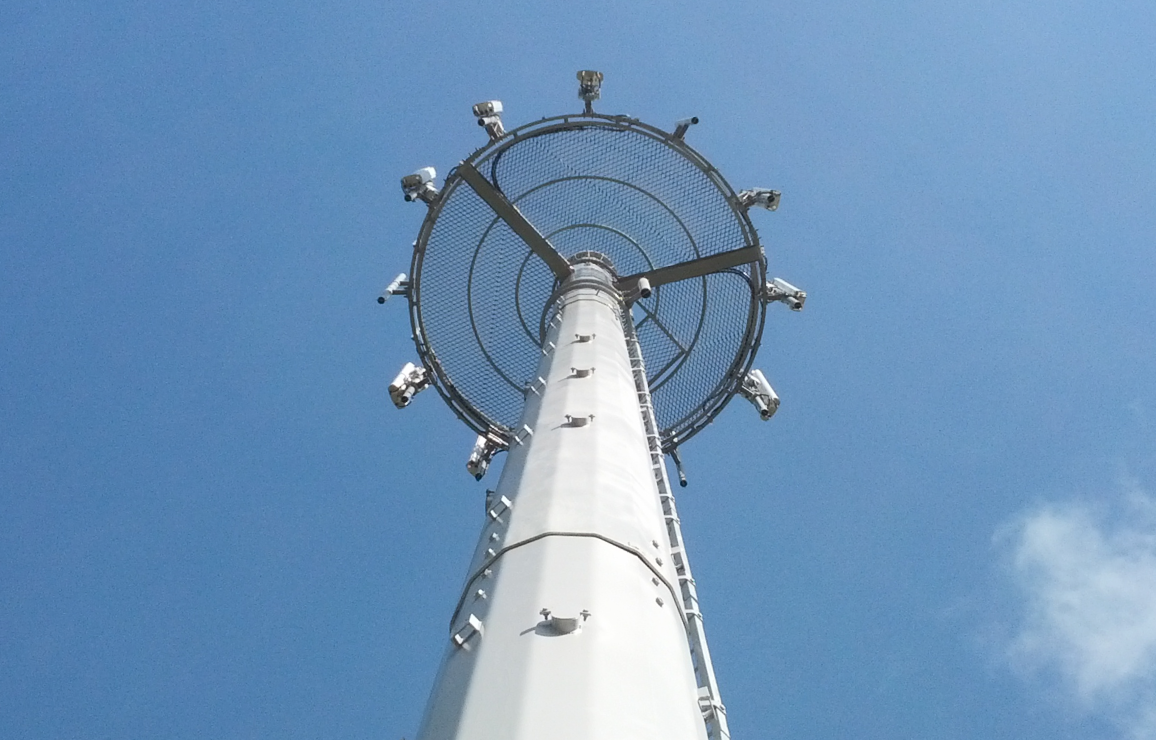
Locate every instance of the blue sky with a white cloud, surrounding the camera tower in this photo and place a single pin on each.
(214, 524)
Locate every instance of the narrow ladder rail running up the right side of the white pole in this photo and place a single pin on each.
(710, 704)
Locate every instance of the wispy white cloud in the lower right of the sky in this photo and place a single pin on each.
(1088, 582)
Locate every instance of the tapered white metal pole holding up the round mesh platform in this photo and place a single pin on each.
(573, 624)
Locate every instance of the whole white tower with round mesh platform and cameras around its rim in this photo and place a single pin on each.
(587, 293)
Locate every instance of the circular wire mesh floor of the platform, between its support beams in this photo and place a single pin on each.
(616, 189)
